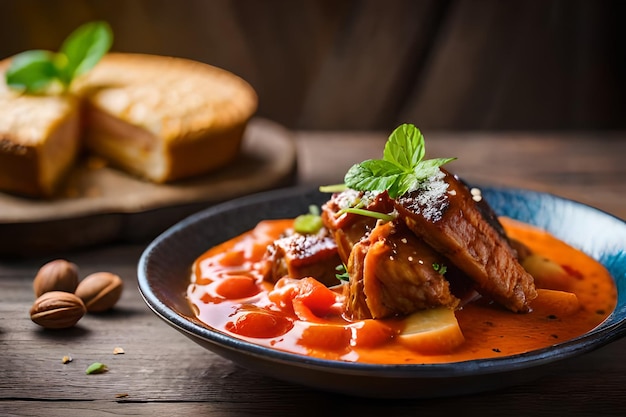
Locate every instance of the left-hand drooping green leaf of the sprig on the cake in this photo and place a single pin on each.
(31, 71)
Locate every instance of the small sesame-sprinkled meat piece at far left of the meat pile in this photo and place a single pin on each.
(302, 255)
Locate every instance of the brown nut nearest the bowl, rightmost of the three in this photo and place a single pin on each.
(100, 291)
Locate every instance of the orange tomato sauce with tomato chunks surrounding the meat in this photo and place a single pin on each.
(227, 293)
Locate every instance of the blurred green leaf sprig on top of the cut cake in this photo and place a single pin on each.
(33, 72)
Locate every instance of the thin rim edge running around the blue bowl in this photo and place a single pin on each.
(611, 329)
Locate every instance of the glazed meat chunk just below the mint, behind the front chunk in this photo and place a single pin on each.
(348, 228)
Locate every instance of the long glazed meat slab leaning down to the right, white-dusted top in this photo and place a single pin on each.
(447, 218)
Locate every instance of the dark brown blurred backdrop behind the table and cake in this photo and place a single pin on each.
(371, 64)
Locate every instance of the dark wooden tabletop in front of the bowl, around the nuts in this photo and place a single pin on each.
(162, 373)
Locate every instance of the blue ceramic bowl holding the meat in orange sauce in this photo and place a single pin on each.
(164, 270)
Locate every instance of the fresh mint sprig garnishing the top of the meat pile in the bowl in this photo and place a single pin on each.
(402, 168)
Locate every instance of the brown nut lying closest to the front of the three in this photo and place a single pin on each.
(57, 310)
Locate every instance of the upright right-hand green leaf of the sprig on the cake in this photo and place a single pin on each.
(84, 48)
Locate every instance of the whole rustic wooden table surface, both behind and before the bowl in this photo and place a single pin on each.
(162, 373)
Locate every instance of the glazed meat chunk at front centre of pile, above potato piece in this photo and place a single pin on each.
(394, 273)
